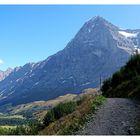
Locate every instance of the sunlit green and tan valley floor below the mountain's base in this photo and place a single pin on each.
(24, 113)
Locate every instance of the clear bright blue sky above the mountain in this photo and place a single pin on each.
(32, 33)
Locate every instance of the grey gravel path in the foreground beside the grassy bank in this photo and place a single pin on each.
(117, 116)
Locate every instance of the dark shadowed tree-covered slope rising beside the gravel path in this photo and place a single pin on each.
(125, 82)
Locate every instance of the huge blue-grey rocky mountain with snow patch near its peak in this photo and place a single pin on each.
(97, 50)
